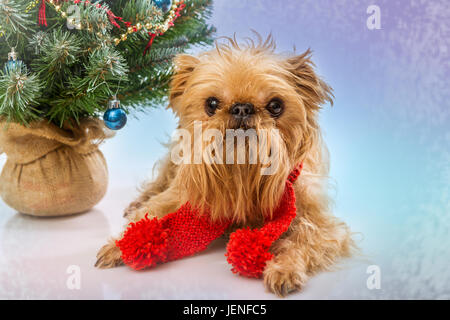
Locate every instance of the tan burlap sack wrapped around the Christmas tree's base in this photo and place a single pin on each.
(52, 171)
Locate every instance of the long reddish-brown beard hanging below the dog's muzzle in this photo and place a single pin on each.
(234, 191)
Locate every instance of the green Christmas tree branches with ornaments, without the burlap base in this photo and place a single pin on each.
(65, 59)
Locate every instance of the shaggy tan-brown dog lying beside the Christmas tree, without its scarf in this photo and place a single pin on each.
(250, 86)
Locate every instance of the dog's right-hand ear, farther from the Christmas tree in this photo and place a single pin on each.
(313, 90)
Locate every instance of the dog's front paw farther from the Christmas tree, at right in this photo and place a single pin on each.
(283, 279)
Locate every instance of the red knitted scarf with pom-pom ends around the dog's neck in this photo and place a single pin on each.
(185, 232)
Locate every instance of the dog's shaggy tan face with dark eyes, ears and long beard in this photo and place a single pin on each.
(246, 87)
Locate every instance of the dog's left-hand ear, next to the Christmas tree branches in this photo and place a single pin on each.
(184, 66)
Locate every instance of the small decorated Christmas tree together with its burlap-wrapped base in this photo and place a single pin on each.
(64, 64)
